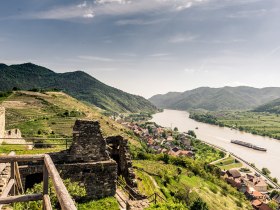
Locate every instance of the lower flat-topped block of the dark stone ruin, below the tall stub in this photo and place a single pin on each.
(98, 178)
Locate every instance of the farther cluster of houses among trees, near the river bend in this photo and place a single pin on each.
(163, 140)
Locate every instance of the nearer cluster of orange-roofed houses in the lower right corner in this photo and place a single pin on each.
(253, 186)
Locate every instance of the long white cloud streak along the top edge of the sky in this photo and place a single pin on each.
(89, 9)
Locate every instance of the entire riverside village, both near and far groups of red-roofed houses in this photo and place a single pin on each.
(179, 144)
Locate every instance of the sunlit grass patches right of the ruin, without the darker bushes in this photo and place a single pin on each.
(212, 194)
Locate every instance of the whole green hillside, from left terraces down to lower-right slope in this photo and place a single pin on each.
(52, 114)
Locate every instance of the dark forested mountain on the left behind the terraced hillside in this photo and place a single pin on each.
(77, 84)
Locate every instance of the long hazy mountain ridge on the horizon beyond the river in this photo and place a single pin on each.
(213, 99)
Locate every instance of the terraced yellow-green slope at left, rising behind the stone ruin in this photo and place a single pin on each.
(33, 112)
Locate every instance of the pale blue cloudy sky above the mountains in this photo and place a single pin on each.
(148, 47)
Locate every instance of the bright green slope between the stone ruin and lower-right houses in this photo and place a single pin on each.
(177, 183)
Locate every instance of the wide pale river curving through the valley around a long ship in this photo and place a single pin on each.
(222, 136)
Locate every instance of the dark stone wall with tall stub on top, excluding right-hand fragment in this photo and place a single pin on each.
(87, 162)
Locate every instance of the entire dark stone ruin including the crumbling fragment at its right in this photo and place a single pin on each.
(90, 161)
